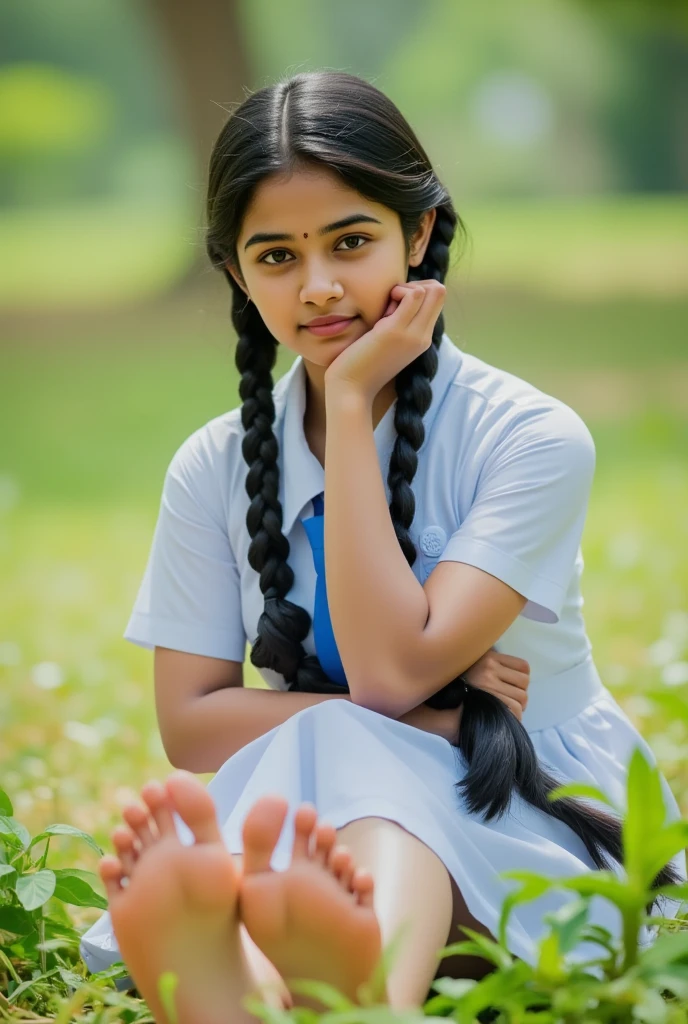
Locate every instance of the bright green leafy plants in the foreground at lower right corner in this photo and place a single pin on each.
(623, 984)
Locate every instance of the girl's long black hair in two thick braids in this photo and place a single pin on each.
(340, 123)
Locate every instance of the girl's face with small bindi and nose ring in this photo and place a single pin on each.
(350, 271)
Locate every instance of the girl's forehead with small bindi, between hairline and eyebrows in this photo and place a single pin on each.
(306, 201)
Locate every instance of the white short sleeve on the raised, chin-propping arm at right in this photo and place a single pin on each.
(526, 524)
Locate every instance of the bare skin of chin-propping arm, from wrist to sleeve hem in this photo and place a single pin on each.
(400, 643)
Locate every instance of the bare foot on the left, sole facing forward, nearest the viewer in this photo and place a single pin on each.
(180, 910)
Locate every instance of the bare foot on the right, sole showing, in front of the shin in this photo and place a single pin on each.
(316, 920)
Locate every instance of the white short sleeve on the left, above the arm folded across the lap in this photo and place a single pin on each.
(190, 599)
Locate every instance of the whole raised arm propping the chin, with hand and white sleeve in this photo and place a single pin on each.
(401, 642)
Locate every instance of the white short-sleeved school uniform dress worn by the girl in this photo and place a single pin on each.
(503, 484)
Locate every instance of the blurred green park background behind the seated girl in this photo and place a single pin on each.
(558, 130)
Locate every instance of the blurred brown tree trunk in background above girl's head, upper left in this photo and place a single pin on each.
(210, 63)
